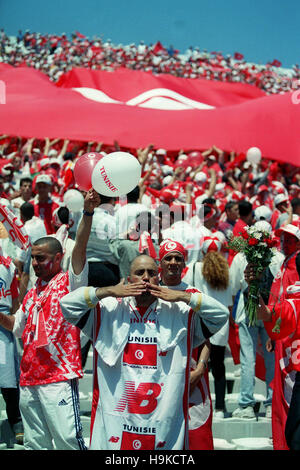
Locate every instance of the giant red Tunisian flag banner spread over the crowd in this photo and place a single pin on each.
(137, 109)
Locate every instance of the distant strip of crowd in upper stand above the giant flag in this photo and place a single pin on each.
(56, 54)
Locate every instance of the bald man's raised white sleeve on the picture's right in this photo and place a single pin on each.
(210, 316)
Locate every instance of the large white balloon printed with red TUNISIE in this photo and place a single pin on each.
(116, 174)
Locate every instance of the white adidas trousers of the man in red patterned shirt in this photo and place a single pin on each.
(50, 415)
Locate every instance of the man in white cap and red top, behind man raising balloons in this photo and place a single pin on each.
(43, 205)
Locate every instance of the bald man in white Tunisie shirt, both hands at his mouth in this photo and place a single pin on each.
(143, 338)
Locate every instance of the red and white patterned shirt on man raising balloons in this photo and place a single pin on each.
(57, 357)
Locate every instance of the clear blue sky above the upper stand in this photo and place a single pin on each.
(262, 30)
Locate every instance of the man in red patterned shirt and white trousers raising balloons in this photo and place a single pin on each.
(51, 360)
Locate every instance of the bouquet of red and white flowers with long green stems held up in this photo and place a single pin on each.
(258, 248)
